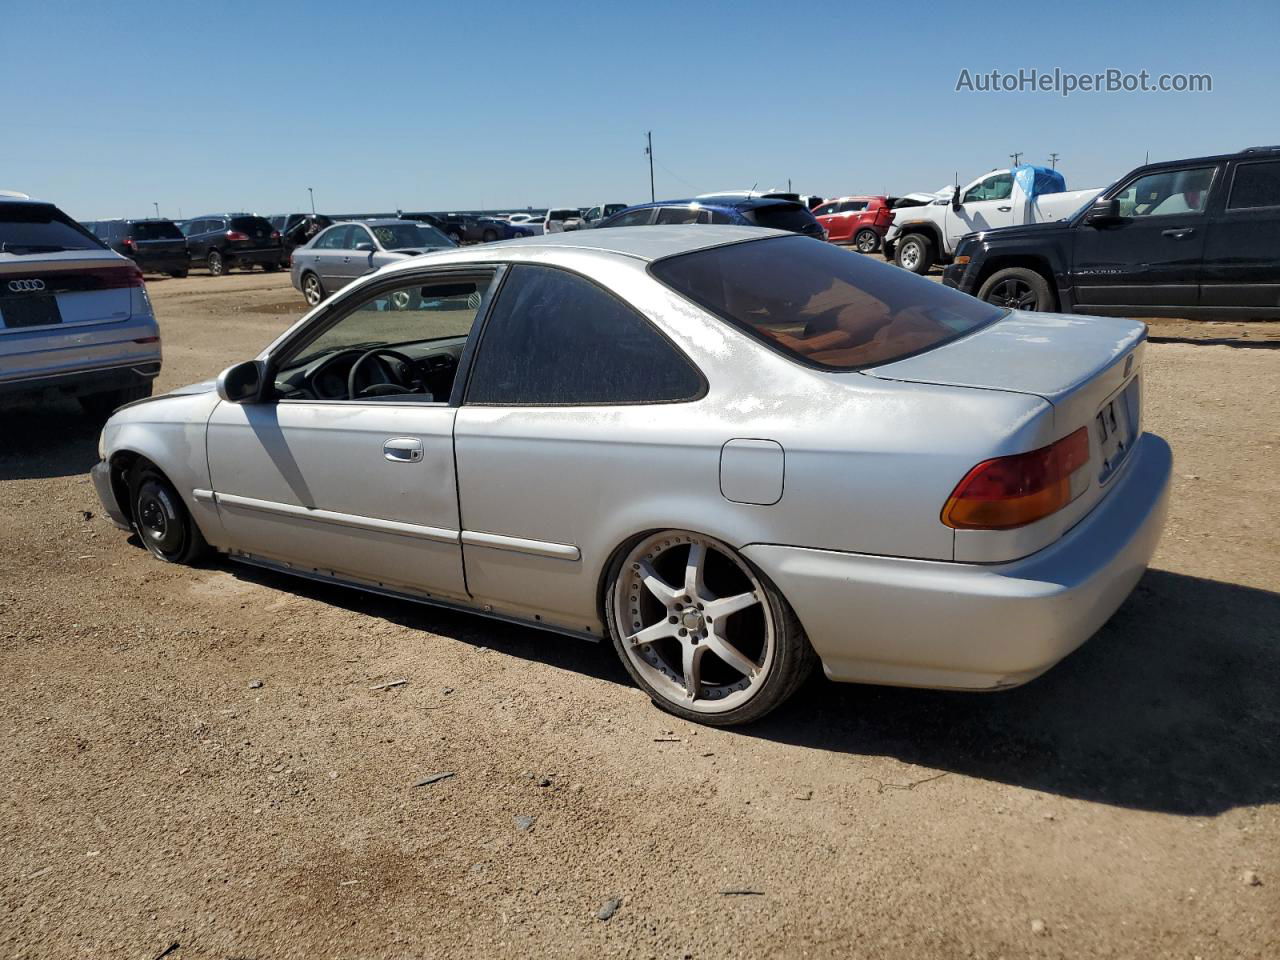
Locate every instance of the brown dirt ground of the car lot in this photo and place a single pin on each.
(195, 764)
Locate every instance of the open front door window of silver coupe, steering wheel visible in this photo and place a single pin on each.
(426, 322)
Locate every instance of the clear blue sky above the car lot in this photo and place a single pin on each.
(420, 106)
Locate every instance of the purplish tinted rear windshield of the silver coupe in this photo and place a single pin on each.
(822, 305)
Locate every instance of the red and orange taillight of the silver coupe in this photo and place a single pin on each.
(1009, 492)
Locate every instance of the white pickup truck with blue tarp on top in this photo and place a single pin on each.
(924, 236)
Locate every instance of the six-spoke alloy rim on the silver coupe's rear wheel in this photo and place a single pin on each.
(694, 621)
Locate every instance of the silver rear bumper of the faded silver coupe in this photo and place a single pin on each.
(967, 627)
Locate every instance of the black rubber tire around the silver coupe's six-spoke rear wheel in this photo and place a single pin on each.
(793, 661)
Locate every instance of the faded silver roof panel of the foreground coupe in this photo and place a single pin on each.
(647, 244)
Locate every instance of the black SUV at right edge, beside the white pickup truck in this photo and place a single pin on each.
(1195, 239)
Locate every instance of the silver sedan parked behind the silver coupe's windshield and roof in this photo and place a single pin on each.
(340, 254)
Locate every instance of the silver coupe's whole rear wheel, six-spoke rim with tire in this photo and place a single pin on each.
(702, 633)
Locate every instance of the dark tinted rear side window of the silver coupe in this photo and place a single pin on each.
(555, 339)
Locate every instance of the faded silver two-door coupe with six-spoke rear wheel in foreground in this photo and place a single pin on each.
(732, 452)
